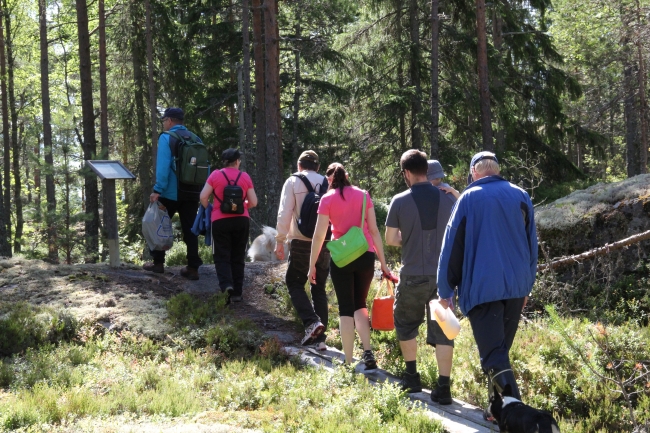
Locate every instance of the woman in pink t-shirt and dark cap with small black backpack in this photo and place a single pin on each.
(229, 230)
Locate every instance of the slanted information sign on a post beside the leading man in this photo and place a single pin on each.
(108, 171)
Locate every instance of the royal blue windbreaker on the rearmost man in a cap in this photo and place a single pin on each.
(489, 249)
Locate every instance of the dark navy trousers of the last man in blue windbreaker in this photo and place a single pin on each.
(494, 325)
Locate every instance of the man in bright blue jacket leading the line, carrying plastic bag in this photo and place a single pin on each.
(165, 192)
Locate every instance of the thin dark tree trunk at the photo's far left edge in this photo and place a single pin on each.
(5, 243)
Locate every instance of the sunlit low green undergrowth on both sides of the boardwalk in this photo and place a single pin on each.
(585, 357)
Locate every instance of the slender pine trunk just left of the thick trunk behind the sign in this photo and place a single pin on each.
(50, 215)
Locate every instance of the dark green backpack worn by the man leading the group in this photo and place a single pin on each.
(192, 164)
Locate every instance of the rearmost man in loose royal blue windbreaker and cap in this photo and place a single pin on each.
(490, 253)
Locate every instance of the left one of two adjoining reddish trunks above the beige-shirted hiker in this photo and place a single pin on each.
(260, 178)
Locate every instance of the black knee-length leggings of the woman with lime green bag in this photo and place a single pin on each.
(352, 283)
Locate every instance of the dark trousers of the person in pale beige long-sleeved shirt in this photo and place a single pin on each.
(296, 279)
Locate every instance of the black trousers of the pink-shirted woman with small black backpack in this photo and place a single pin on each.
(229, 242)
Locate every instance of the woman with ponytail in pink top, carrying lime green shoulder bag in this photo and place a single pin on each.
(342, 206)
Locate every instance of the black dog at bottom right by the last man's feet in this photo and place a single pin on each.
(515, 417)
